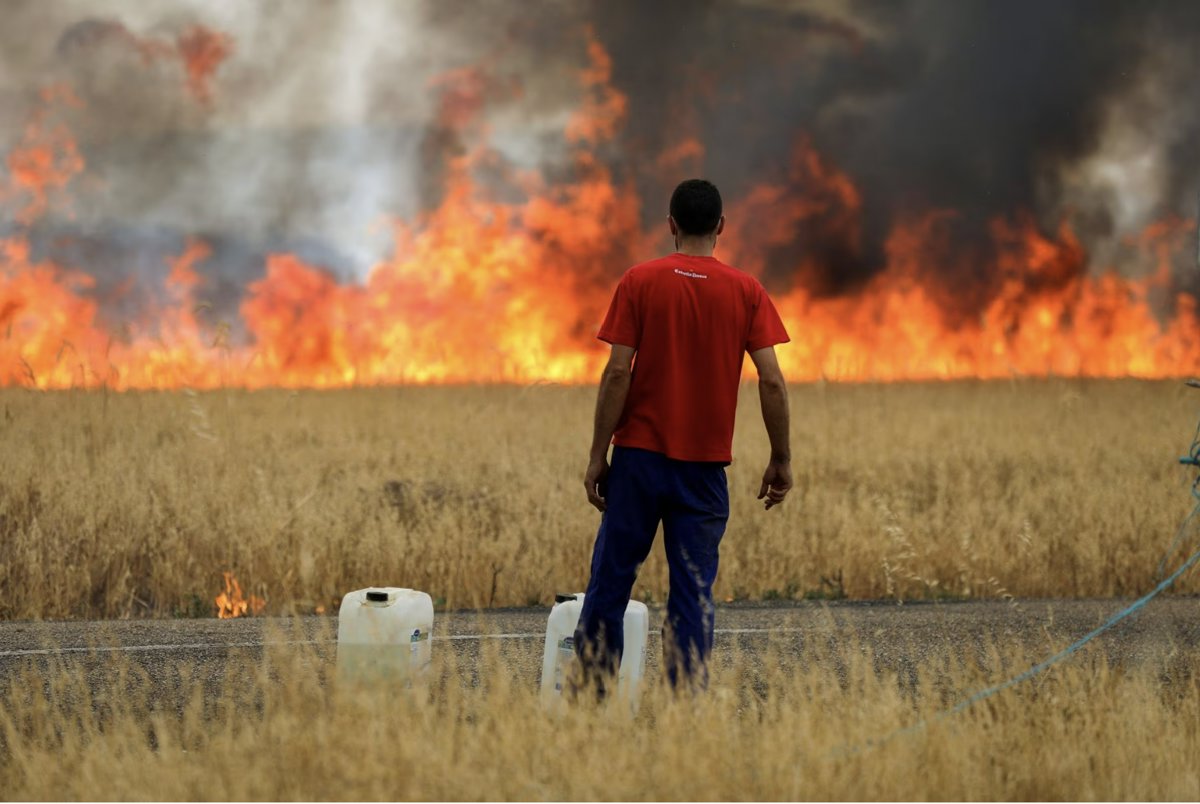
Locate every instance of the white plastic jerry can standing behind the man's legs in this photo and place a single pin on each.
(560, 652)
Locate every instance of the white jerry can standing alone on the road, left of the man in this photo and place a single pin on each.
(383, 634)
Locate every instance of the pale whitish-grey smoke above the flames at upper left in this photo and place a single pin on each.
(314, 139)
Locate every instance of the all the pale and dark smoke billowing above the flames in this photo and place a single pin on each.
(305, 128)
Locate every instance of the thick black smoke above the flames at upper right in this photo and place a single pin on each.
(981, 107)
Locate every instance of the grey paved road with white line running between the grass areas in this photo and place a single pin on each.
(899, 637)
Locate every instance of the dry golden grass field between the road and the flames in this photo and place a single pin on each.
(135, 505)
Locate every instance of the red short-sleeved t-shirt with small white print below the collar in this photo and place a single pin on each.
(692, 321)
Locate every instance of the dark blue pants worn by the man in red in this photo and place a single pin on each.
(693, 502)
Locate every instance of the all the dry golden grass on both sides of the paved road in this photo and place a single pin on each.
(137, 505)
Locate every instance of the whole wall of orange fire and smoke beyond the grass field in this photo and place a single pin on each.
(926, 211)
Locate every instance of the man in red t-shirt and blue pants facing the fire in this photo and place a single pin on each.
(680, 328)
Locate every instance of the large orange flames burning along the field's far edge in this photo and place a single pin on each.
(481, 290)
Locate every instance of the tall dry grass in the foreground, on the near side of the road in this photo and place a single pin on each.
(771, 728)
